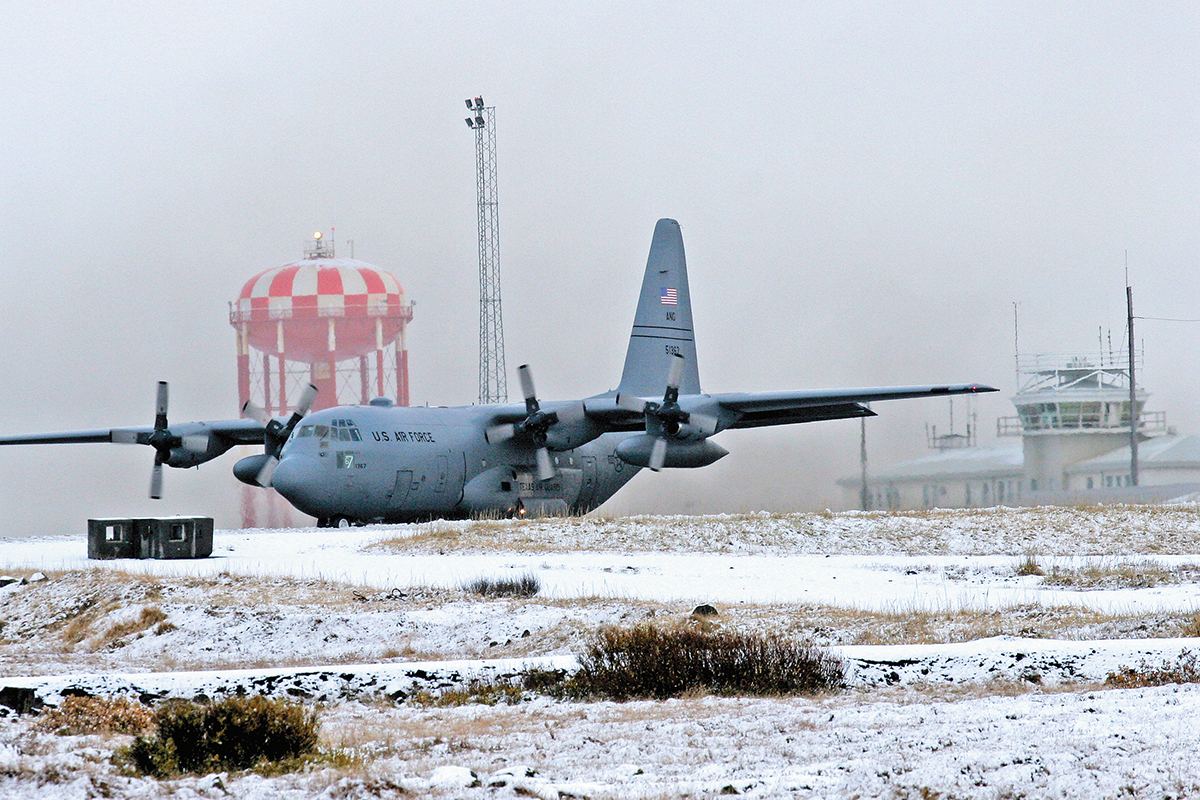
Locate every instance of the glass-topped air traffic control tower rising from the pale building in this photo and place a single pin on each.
(1073, 408)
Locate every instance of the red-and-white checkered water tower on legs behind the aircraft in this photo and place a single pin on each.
(337, 323)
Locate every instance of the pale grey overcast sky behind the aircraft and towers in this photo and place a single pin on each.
(866, 190)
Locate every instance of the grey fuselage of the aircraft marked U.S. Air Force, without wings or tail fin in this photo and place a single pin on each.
(400, 465)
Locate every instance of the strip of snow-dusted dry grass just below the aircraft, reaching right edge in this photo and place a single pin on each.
(965, 532)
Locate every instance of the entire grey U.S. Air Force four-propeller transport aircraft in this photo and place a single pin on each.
(387, 464)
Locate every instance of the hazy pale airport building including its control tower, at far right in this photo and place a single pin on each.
(1071, 444)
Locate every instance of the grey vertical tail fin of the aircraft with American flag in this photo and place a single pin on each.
(663, 323)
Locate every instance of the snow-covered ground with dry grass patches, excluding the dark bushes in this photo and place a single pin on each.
(934, 613)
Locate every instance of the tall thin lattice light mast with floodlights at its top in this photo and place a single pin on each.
(493, 381)
